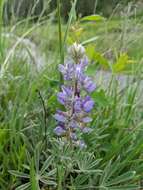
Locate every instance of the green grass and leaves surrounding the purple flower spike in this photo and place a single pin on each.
(31, 156)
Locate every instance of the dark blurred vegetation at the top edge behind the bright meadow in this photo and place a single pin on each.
(24, 8)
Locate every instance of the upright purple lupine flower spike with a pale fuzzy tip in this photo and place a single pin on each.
(73, 121)
